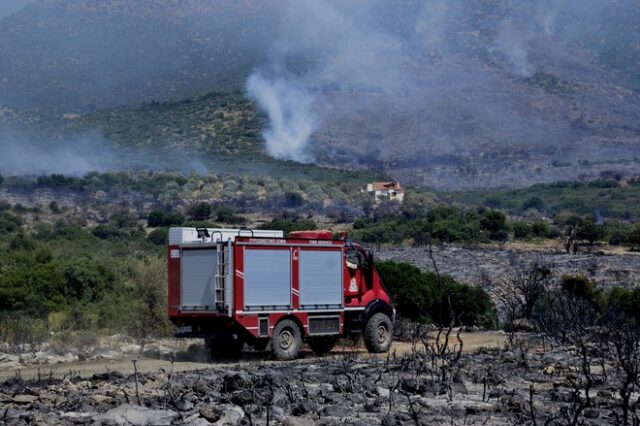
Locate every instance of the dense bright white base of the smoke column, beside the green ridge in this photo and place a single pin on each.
(291, 119)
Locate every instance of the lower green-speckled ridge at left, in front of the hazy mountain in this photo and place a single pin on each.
(215, 133)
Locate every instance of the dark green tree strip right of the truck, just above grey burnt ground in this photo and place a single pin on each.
(450, 224)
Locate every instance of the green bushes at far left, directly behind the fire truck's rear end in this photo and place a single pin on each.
(68, 279)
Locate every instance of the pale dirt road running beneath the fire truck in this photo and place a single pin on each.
(471, 342)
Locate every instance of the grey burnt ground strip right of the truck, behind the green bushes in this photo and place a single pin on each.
(471, 264)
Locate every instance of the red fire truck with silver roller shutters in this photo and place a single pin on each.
(237, 286)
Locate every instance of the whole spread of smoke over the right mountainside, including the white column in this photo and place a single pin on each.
(425, 82)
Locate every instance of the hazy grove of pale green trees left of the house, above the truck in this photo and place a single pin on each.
(199, 197)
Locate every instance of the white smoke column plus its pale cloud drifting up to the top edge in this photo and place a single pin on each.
(322, 46)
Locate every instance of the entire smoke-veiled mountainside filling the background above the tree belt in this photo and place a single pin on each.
(495, 94)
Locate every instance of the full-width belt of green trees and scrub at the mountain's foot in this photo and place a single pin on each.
(424, 216)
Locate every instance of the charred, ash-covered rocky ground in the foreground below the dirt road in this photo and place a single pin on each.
(509, 385)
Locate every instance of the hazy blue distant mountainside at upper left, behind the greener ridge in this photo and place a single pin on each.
(85, 55)
